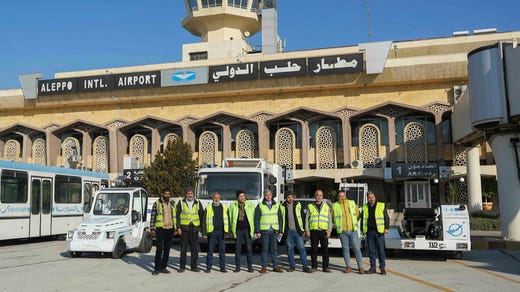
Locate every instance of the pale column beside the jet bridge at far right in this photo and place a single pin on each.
(474, 183)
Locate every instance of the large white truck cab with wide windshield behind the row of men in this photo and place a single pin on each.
(253, 175)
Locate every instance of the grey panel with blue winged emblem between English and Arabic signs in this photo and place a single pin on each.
(186, 76)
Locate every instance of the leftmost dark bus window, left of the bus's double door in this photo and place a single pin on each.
(14, 187)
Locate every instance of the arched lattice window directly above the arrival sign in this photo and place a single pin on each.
(415, 142)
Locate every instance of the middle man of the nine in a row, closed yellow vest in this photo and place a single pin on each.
(268, 228)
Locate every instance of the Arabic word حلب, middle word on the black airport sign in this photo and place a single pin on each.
(283, 68)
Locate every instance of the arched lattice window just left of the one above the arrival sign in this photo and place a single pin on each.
(369, 140)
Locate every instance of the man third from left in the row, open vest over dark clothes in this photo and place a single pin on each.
(215, 227)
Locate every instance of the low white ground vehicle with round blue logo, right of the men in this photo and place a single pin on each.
(445, 228)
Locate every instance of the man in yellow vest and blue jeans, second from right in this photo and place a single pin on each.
(346, 216)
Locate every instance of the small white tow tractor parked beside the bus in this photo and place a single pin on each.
(118, 222)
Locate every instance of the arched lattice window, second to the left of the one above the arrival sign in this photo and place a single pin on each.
(326, 148)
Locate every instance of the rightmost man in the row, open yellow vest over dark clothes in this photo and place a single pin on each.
(375, 222)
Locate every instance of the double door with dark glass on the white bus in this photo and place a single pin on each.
(41, 205)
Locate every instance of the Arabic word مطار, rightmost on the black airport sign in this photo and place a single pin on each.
(339, 64)
